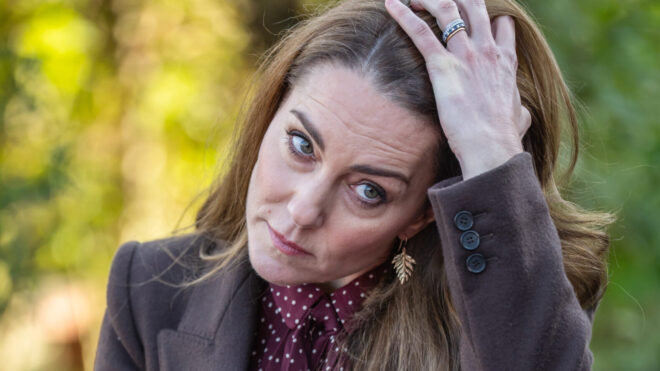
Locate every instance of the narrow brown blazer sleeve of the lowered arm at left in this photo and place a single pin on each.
(119, 346)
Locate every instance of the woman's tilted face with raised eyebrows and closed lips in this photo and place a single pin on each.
(342, 171)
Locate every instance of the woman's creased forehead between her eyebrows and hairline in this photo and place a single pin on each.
(352, 114)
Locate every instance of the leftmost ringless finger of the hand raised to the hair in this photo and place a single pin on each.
(418, 31)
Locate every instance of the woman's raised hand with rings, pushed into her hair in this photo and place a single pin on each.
(473, 78)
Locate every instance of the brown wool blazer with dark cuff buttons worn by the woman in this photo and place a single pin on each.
(517, 307)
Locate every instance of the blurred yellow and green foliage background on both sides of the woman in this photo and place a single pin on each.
(115, 116)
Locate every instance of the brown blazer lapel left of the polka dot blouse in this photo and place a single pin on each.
(217, 329)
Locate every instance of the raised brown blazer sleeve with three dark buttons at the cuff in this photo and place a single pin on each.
(506, 276)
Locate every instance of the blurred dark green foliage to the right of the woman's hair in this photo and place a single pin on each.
(608, 51)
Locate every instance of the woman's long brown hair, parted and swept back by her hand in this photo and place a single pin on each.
(397, 330)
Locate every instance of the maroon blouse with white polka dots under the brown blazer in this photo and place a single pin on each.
(298, 325)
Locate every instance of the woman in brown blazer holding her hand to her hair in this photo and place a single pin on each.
(369, 141)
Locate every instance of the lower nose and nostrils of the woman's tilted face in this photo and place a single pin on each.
(306, 205)
